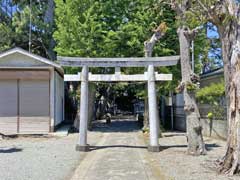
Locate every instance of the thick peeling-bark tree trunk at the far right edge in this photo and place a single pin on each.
(225, 15)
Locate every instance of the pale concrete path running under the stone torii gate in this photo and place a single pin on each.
(120, 155)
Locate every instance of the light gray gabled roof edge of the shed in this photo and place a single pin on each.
(33, 56)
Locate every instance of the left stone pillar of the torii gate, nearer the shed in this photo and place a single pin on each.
(82, 143)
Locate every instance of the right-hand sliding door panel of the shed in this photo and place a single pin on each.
(33, 106)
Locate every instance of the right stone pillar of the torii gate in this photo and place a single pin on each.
(153, 111)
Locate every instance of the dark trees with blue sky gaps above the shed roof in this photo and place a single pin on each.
(15, 23)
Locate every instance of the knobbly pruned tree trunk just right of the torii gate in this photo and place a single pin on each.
(196, 144)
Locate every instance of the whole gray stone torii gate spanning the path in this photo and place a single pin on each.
(150, 76)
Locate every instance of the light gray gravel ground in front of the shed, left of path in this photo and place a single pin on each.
(40, 158)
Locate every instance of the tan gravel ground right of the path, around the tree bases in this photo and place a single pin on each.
(176, 164)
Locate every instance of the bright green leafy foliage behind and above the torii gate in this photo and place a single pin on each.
(115, 28)
